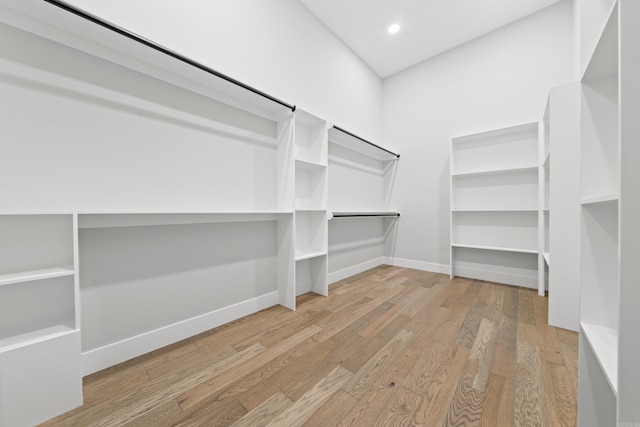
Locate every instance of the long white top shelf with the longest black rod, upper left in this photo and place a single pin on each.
(65, 23)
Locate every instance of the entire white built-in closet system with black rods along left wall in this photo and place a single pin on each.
(101, 267)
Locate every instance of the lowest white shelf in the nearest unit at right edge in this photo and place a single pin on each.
(604, 343)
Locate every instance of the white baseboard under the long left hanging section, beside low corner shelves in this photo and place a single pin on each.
(112, 354)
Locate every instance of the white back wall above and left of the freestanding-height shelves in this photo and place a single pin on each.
(500, 79)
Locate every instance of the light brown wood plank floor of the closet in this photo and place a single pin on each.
(389, 347)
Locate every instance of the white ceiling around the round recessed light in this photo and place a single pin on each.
(428, 27)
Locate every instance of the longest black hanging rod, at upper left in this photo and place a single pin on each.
(92, 18)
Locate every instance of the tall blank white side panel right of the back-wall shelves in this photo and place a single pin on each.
(561, 204)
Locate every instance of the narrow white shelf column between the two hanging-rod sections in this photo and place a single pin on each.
(310, 148)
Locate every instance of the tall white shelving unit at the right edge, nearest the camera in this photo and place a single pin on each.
(609, 378)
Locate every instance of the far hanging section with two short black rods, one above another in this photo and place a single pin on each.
(363, 225)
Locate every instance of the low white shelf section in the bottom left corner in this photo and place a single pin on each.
(39, 336)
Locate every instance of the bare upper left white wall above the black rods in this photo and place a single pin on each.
(278, 47)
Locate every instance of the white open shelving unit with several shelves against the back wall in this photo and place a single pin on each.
(495, 205)
